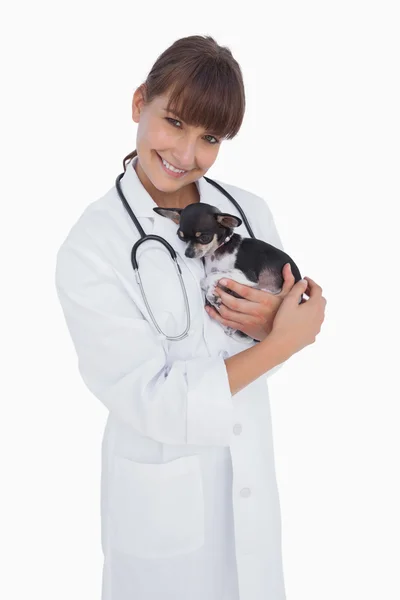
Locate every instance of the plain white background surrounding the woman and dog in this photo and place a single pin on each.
(320, 142)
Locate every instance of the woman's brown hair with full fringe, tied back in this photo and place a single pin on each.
(205, 84)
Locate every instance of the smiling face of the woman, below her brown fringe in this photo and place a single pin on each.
(162, 134)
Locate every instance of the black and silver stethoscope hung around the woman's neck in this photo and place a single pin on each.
(171, 250)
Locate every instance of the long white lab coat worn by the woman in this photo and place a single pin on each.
(189, 500)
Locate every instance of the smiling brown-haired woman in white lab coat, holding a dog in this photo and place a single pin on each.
(189, 503)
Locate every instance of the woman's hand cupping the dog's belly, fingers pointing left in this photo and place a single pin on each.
(255, 313)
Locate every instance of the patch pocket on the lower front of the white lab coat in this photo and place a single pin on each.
(157, 510)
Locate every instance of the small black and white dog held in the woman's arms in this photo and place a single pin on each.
(209, 234)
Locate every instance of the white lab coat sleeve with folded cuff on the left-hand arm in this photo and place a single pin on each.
(125, 365)
